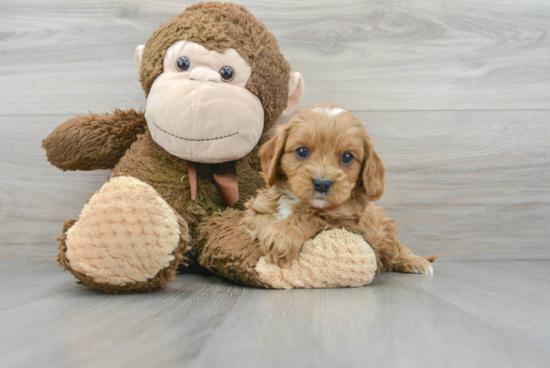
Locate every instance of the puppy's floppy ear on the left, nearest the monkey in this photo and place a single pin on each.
(272, 151)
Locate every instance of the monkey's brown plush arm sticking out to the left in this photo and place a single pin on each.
(93, 142)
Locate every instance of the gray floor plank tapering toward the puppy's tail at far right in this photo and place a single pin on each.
(510, 295)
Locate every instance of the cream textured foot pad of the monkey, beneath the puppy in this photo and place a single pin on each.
(334, 258)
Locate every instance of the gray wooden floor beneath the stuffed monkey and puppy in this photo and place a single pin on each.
(468, 314)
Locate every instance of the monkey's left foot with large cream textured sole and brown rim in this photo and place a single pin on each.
(127, 239)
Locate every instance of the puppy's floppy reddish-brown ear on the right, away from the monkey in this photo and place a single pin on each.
(373, 173)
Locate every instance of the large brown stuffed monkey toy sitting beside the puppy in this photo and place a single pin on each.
(216, 82)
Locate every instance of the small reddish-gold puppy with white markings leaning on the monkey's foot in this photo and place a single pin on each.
(322, 173)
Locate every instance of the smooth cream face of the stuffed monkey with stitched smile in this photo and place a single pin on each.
(199, 108)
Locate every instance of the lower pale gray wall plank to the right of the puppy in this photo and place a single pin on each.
(467, 184)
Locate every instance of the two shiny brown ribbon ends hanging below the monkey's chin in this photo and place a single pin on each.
(225, 177)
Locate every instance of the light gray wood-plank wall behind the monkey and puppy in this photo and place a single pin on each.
(456, 95)
